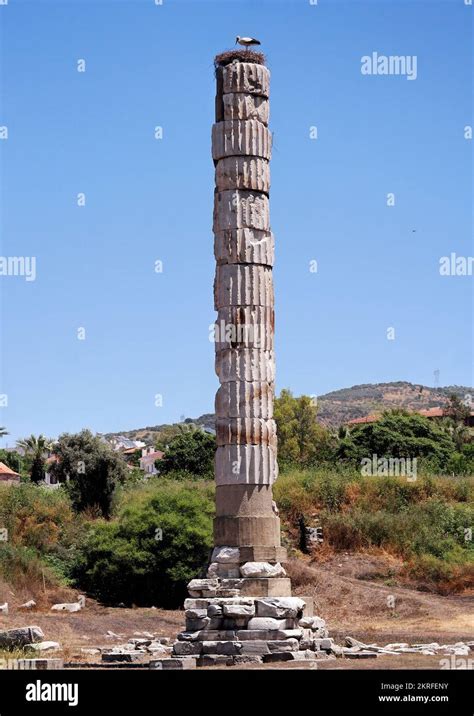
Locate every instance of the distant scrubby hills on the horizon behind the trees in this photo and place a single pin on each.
(339, 406)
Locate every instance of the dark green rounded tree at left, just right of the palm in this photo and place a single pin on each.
(91, 469)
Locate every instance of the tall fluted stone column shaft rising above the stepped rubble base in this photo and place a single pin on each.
(246, 527)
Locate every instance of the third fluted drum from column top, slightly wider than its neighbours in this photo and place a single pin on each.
(238, 138)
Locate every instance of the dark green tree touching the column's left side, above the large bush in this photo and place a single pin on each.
(190, 452)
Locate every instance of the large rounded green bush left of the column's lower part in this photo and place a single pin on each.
(159, 541)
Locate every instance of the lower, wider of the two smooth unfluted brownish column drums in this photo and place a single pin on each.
(241, 531)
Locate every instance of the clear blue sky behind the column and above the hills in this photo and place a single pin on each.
(149, 200)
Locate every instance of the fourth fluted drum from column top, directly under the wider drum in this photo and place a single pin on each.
(248, 173)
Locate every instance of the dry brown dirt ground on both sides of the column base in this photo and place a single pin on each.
(347, 593)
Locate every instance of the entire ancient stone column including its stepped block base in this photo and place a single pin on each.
(243, 611)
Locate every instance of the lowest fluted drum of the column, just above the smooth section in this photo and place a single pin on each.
(249, 464)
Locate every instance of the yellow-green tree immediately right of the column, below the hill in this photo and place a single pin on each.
(301, 439)
